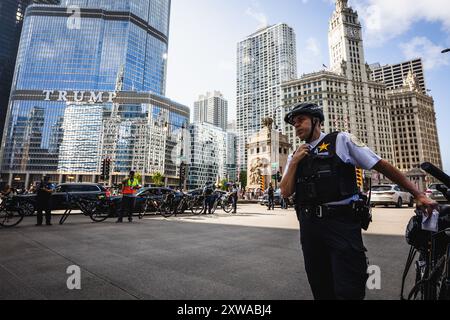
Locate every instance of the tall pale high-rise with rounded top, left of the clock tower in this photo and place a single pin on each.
(266, 59)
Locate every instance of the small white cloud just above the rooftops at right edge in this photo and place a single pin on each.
(424, 48)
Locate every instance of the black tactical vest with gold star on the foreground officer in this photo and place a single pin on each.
(323, 177)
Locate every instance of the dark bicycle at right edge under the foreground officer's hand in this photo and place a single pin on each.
(432, 279)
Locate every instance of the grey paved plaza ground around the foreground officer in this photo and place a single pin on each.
(249, 256)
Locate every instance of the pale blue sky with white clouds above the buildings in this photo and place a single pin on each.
(204, 36)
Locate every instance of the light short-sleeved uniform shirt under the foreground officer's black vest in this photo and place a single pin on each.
(350, 150)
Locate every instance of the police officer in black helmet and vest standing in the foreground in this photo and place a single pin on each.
(322, 175)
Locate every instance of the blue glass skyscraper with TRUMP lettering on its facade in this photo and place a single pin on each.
(89, 84)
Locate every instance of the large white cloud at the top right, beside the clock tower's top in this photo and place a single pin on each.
(387, 19)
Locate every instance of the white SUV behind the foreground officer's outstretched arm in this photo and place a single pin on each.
(391, 195)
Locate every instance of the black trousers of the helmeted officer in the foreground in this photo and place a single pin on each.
(335, 258)
